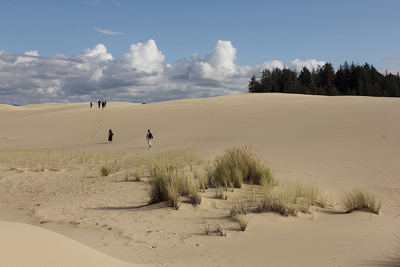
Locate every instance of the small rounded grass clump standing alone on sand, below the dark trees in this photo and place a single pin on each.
(360, 199)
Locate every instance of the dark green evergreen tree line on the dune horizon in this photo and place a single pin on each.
(352, 79)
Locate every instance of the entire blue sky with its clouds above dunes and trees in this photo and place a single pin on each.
(159, 50)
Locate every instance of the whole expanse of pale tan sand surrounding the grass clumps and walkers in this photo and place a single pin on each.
(51, 156)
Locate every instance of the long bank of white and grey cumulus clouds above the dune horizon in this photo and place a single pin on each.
(138, 76)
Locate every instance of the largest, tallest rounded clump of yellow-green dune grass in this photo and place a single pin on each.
(238, 165)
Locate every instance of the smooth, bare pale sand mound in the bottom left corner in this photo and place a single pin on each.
(26, 245)
